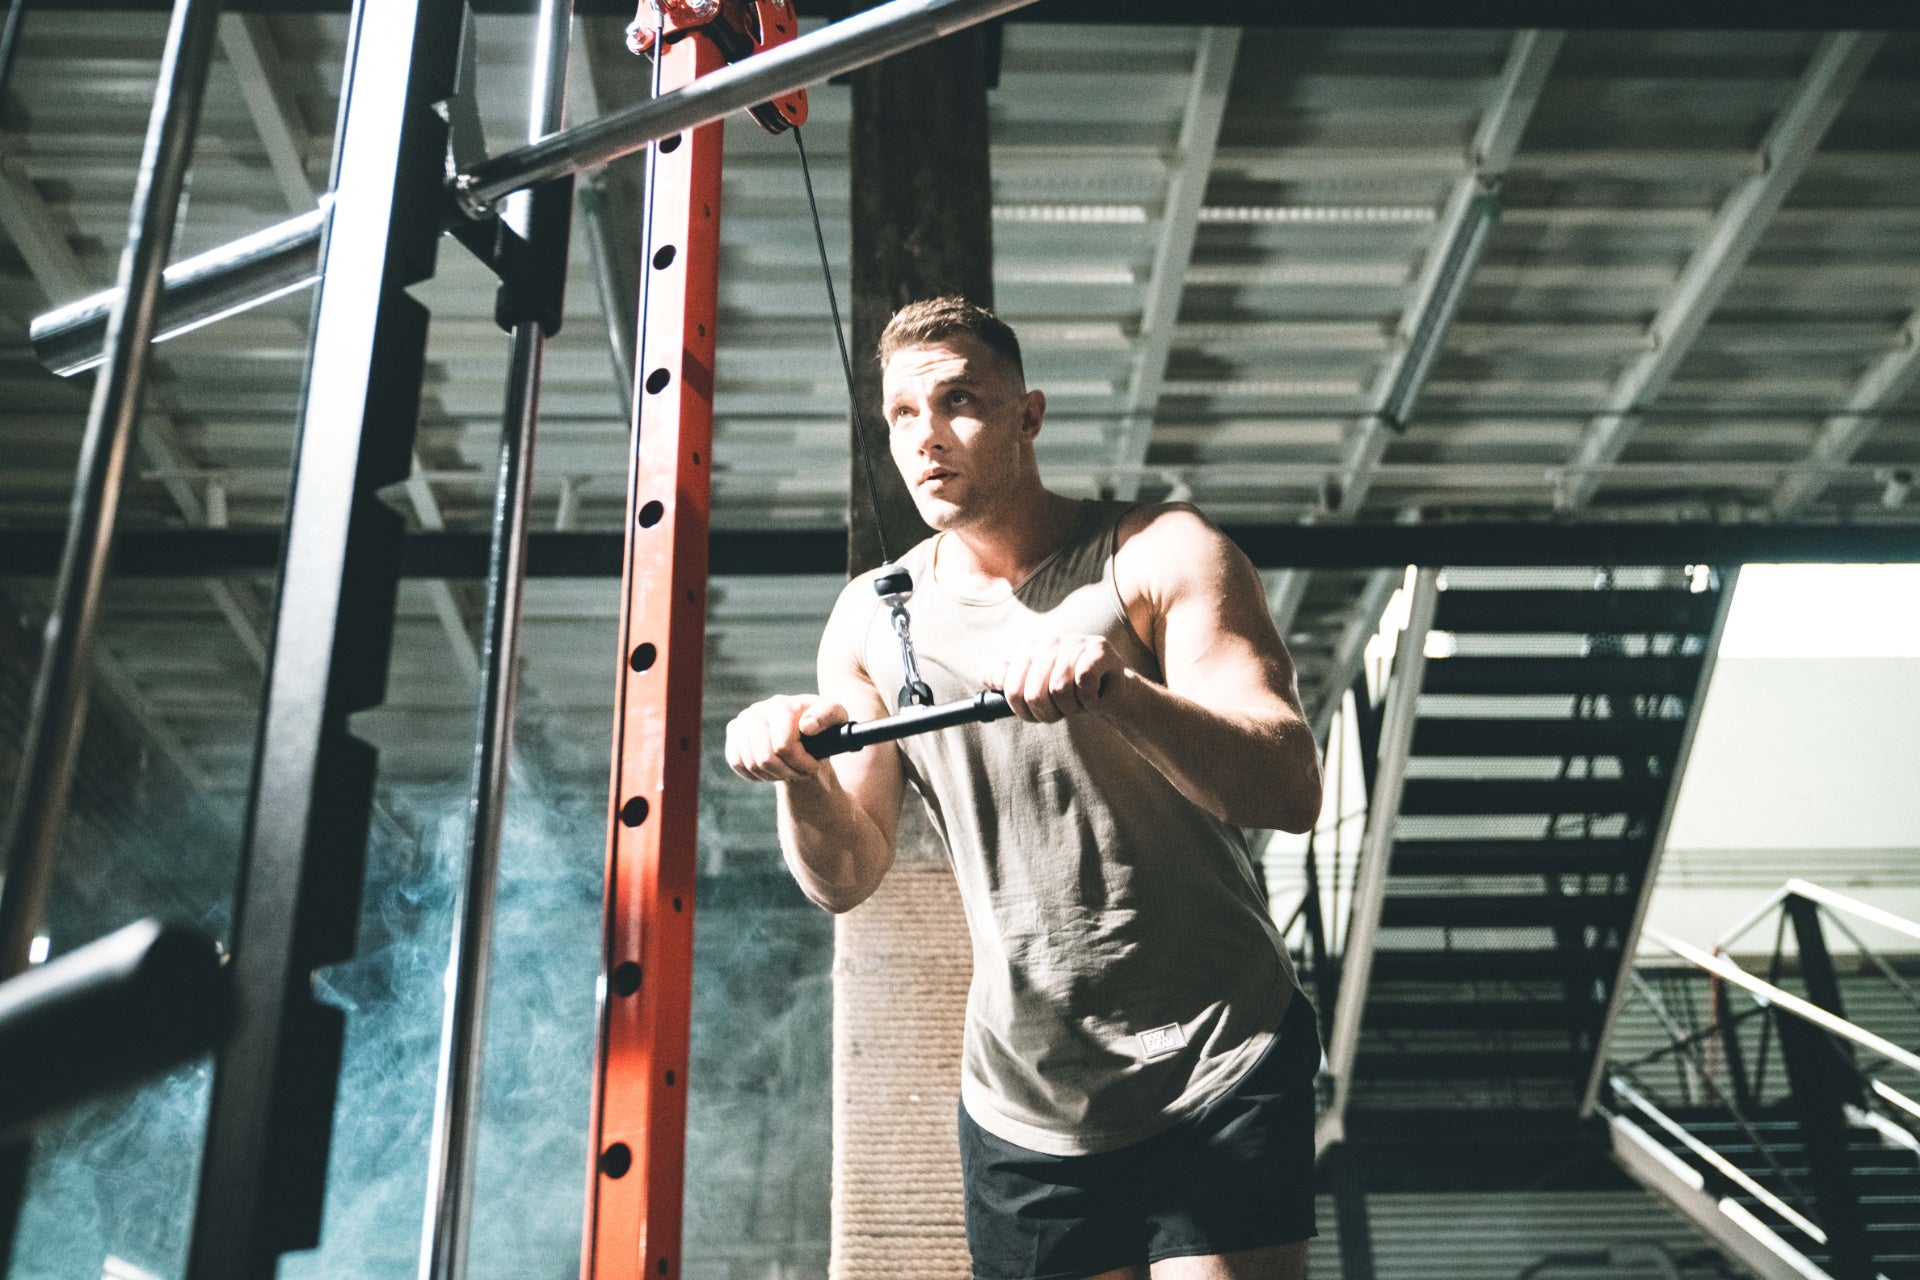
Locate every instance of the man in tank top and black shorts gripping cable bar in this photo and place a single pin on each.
(1138, 1068)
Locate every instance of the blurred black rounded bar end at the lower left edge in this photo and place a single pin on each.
(107, 1016)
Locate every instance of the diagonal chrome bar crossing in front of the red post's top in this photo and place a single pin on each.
(819, 57)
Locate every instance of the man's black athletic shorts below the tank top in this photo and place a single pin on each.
(1236, 1175)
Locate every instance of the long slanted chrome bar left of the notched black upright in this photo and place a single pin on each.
(66, 657)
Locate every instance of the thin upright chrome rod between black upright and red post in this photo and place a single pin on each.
(456, 1139)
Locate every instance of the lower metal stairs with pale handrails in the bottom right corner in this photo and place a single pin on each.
(1788, 1133)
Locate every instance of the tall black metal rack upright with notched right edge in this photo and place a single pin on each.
(270, 1126)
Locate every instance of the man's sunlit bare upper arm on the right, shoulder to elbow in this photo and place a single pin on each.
(1212, 630)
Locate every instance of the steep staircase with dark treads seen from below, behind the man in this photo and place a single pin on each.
(1533, 734)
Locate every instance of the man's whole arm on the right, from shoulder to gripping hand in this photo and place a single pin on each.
(1226, 726)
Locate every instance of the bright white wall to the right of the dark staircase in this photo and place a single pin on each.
(1804, 765)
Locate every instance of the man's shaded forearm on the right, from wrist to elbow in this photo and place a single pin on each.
(1255, 769)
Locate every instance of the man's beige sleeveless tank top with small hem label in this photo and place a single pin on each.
(1126, 970)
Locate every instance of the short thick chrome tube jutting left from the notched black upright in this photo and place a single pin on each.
(199, 291)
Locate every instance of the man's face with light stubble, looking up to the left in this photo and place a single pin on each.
(957, 423)
